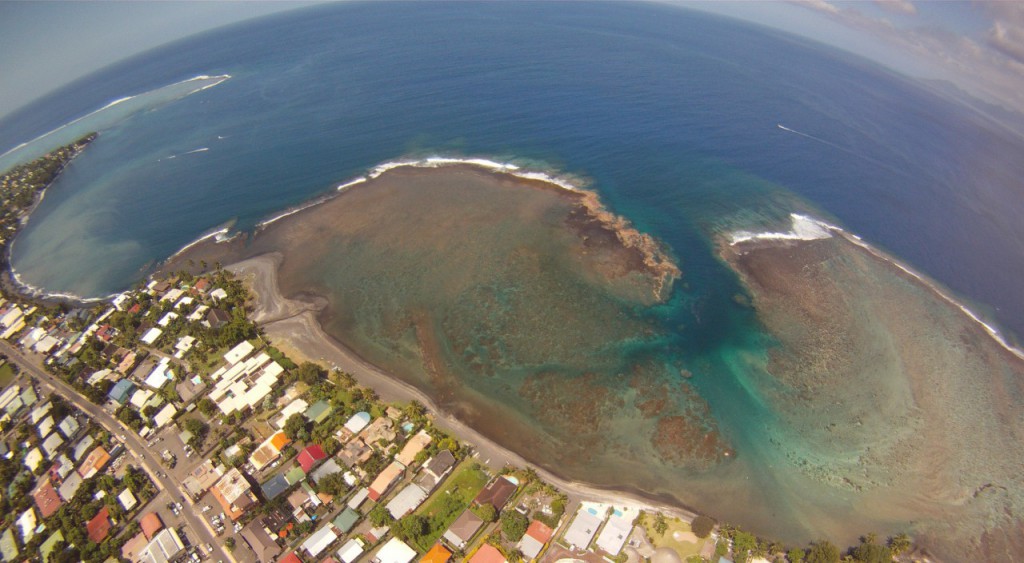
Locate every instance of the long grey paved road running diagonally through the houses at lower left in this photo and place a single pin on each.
(30, 364)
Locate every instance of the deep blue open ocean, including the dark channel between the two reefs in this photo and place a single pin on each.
(671, 115)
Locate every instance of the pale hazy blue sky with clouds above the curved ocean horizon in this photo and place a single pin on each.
(977, 47)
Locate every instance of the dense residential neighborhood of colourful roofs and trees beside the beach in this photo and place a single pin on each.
(245, 456)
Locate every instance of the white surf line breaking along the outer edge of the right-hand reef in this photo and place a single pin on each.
(809, 229)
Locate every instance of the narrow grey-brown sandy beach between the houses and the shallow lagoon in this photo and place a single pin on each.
(292, 326)
